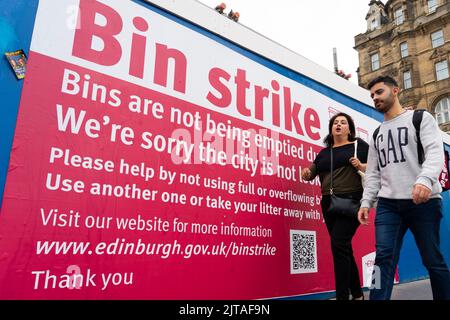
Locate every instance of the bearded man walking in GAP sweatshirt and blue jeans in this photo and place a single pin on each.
(408, 192)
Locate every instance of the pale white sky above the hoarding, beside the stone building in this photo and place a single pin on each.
(311, 28)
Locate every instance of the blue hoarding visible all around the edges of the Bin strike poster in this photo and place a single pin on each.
(16, 34)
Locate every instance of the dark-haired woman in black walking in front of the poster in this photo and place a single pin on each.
(345, 182)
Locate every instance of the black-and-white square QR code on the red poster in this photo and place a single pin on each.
(303, 251)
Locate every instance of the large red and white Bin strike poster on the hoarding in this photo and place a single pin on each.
(153, 160)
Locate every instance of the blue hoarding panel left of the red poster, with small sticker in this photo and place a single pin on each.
(16, 27)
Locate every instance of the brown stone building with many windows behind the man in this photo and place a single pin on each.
(410, 40)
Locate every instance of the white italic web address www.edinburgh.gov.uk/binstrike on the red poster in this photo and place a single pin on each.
(163, 250)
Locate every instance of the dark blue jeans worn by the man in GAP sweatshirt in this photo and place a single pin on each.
(393, 219)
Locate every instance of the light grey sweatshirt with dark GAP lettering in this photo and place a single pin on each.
(393, 168)
